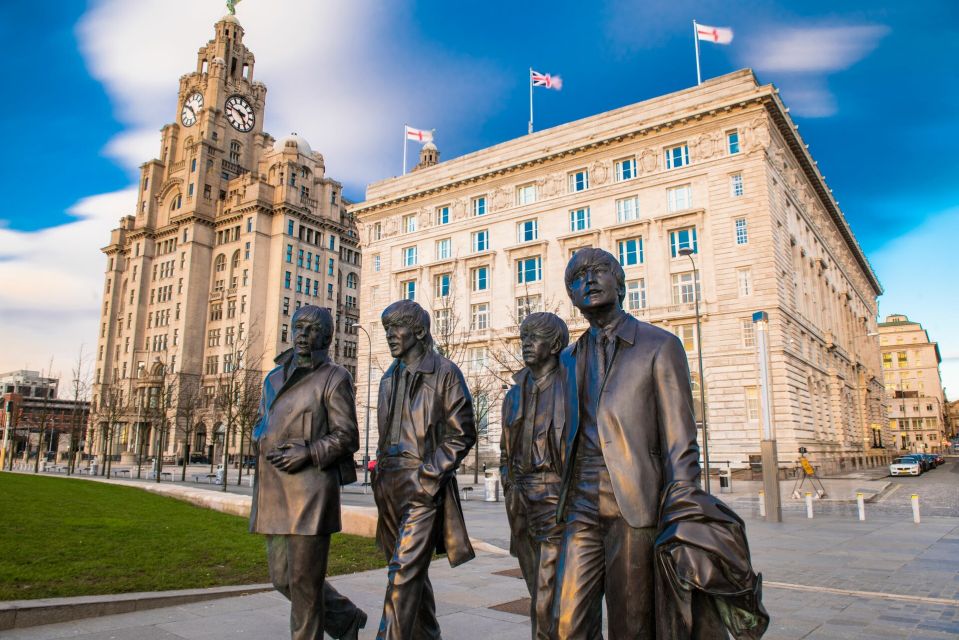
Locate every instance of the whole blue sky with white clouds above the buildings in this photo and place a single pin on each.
(871, 84)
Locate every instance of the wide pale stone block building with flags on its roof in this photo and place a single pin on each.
(718, 169)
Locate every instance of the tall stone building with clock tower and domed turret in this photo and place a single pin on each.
(232, 231)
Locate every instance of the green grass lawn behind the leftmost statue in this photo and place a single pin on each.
(62, 537)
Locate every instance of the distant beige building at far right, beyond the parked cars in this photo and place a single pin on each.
(910, 362)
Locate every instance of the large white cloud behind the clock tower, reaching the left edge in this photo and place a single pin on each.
(344, 75)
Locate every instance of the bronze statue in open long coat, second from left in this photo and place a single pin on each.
(426, 428)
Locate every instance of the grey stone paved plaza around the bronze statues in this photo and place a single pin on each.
(832, 577)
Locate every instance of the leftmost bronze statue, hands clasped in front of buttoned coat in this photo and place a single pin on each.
(305, 440)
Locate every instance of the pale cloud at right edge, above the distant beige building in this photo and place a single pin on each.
(925, 294)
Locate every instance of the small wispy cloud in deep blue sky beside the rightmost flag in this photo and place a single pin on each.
(801, 59)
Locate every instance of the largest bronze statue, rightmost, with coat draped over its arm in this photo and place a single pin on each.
(629, 448)
